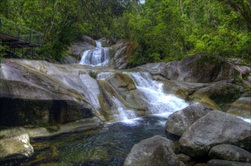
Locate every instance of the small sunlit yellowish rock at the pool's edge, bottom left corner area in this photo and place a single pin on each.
(16, 147)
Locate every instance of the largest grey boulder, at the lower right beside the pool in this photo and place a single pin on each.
(212, 129)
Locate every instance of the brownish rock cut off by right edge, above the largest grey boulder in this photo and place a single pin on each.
(241, 107)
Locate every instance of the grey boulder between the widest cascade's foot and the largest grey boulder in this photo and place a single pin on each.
(178, 122)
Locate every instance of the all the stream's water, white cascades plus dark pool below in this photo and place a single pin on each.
(110, 144)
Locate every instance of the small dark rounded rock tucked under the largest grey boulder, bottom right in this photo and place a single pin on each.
(230, 152)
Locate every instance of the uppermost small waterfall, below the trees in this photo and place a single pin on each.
(99, 56)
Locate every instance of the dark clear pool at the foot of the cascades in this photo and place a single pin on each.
(105, 146)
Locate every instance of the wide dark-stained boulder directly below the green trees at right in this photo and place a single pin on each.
(201, 68)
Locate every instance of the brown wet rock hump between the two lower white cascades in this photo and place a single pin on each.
(118, 91)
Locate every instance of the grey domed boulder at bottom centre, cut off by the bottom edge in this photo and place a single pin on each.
(153, 151)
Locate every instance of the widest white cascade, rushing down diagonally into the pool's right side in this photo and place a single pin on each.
(159, 103)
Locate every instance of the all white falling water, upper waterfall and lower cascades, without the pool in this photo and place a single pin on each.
(152, 91)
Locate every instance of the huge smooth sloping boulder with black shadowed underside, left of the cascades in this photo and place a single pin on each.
(40, 93)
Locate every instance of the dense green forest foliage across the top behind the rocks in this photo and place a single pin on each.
(160, 30)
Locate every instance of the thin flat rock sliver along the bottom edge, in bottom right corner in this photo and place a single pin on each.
(226, 163)
